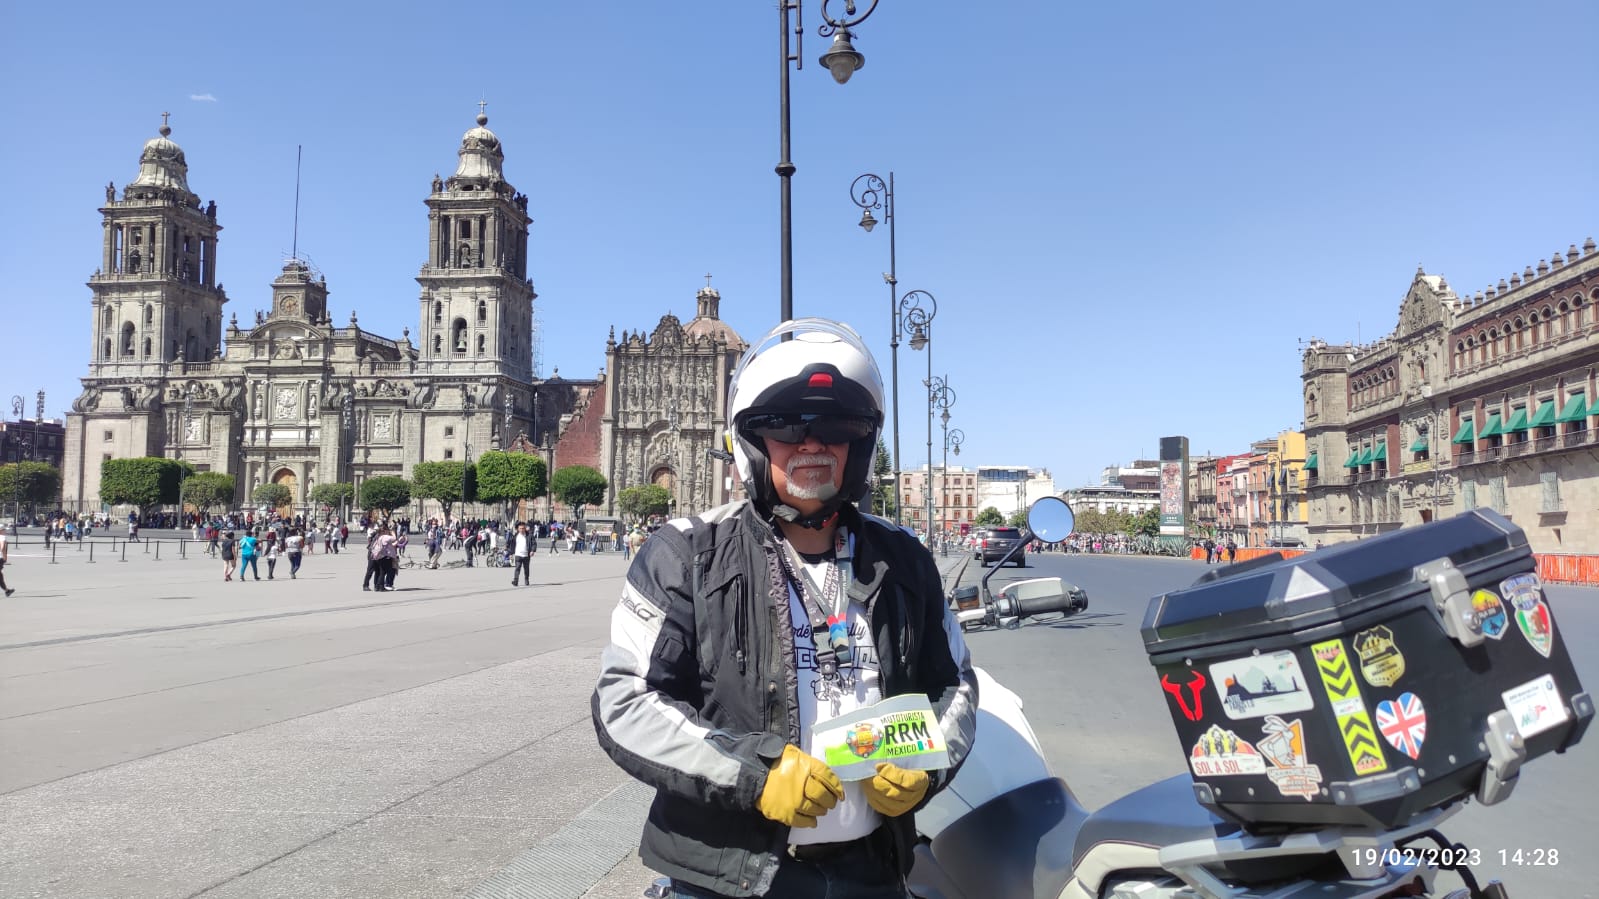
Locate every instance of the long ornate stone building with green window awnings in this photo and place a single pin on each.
(1472, 401)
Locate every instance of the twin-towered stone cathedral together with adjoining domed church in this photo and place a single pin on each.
(290, 398)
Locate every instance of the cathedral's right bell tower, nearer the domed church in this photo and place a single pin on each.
(477, 300)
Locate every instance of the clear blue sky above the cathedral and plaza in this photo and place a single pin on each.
(1130, 214)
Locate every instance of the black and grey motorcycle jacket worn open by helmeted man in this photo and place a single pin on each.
(698, 690)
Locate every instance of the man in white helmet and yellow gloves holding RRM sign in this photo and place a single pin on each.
(717, 668)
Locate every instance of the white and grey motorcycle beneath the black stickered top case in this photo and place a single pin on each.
(1008, 828)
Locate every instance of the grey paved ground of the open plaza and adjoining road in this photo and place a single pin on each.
(164, 733)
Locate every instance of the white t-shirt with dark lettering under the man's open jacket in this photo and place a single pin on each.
(851, 818)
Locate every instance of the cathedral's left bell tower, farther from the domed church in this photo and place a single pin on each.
(156, 298)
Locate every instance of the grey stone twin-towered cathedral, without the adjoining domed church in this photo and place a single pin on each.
(290, 398)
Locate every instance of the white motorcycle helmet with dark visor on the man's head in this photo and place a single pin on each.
(784, 386)
